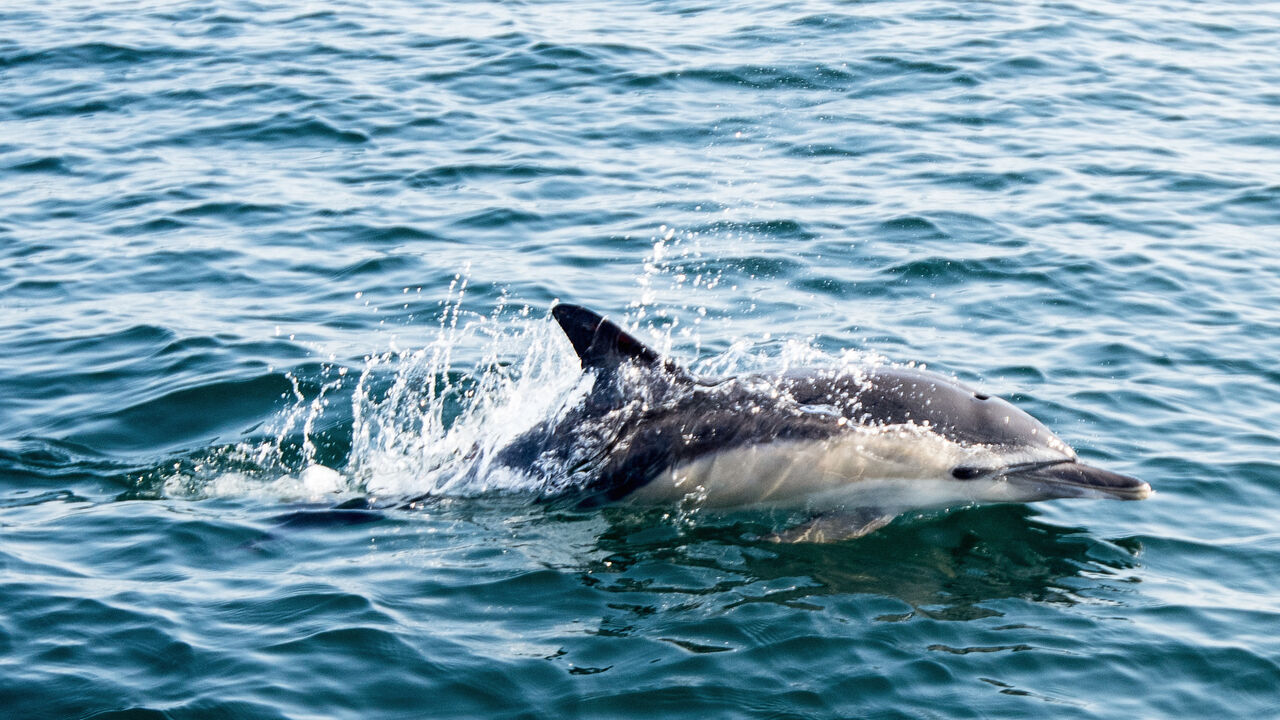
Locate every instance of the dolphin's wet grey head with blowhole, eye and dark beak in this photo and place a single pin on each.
(982, 448)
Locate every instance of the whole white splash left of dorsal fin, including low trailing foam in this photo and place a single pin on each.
(410, 422)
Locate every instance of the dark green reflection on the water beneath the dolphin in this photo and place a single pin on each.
(941, 566)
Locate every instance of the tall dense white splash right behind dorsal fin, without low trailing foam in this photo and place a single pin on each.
(437, 426)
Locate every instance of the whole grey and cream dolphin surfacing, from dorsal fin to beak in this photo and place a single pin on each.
(854, 448)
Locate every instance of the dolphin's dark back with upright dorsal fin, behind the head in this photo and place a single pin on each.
(646, 416)
